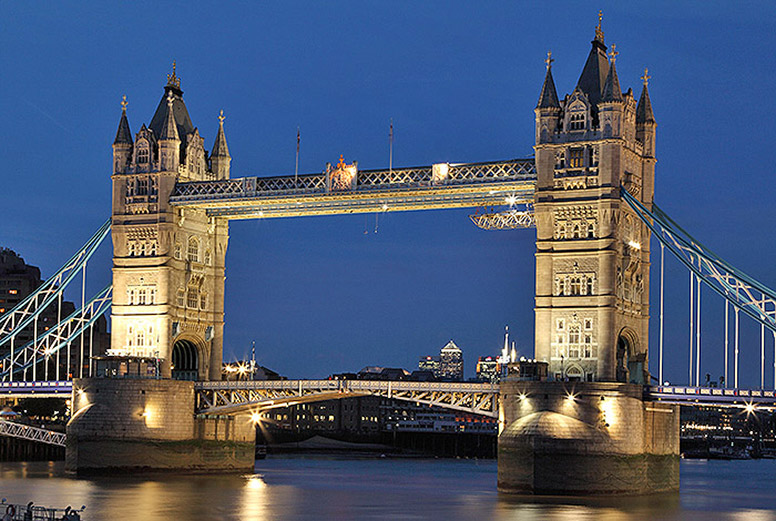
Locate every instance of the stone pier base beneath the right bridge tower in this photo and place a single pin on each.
(585, 438)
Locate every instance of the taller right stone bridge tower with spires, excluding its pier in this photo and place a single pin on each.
(592, 259)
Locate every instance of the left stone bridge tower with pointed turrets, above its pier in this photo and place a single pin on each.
(168, 264)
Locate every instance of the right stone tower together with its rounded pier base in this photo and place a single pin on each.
(592, 301)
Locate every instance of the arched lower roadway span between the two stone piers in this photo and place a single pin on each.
(235, 397)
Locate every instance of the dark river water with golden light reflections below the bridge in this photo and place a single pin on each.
(289, 488)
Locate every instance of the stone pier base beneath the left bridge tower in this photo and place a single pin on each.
(120, 425)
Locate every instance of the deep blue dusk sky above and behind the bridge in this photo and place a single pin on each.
(460, 80)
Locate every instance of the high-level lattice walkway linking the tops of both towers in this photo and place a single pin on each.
(402, 189)
